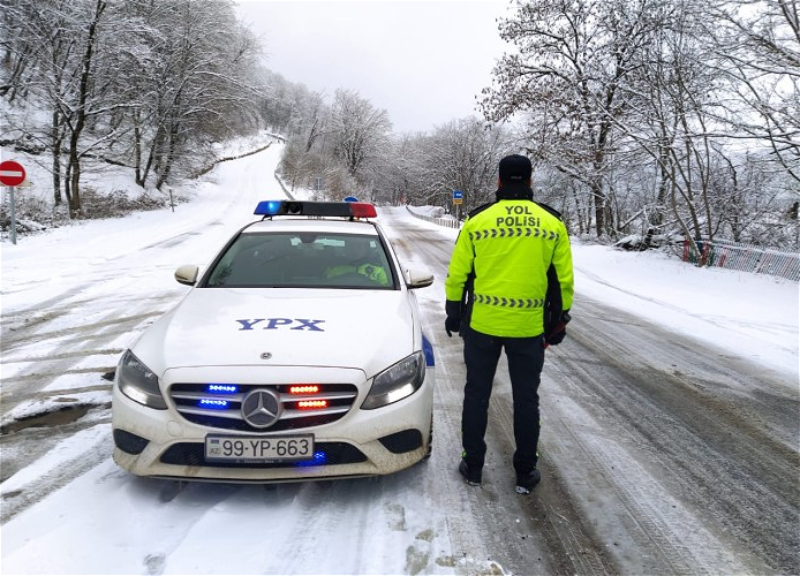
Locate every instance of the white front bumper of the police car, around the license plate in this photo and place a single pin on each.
(162, 443)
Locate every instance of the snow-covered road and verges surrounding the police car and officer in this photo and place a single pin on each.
(661, 453)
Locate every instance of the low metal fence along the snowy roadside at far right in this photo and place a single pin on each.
(741, 257)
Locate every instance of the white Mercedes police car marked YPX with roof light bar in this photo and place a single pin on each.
(297, 354)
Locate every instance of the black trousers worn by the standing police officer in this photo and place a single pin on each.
(525, 360)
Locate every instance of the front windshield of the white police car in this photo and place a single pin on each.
(304, 260)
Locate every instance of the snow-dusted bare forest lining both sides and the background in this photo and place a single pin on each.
(658, 118)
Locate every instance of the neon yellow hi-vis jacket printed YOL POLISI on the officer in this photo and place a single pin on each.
(509, 246)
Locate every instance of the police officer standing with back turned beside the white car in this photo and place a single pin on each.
(514, 258)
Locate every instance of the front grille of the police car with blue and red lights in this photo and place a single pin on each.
(220, 405)
